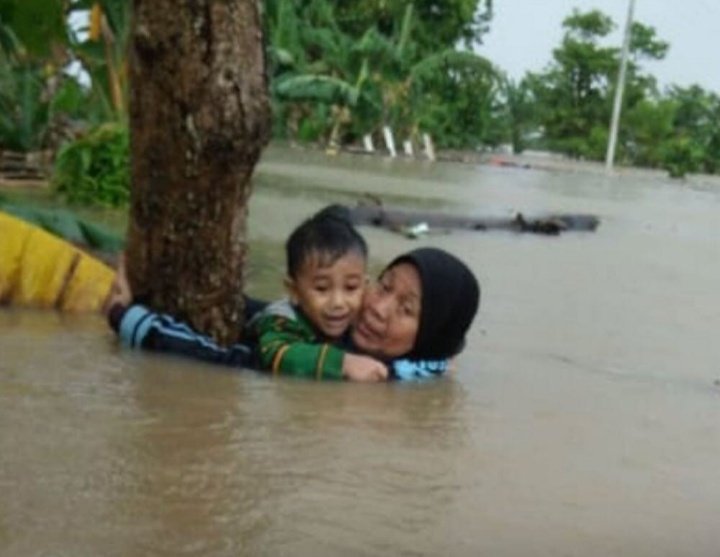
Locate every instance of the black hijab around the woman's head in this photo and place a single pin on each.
(450, 300)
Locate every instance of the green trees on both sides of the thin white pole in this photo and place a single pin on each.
(572, 100)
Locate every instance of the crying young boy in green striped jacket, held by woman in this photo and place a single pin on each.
(303, 335)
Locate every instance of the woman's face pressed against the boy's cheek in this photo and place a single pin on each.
(389, 318)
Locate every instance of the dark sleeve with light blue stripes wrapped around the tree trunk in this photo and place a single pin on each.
(140, 328)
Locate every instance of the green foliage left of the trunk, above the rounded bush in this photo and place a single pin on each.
(40, 106)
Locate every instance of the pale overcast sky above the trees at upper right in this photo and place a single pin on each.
(523, 34)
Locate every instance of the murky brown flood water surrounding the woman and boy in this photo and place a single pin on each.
(583, 419)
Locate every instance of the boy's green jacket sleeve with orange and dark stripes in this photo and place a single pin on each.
(286, 347)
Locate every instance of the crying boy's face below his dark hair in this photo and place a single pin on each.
(329, 295)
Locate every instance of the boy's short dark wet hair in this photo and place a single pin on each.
(329, 234)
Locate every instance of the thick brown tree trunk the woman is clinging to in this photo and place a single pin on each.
(199, 117)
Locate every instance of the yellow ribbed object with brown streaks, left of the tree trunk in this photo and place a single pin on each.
(38, 269)
